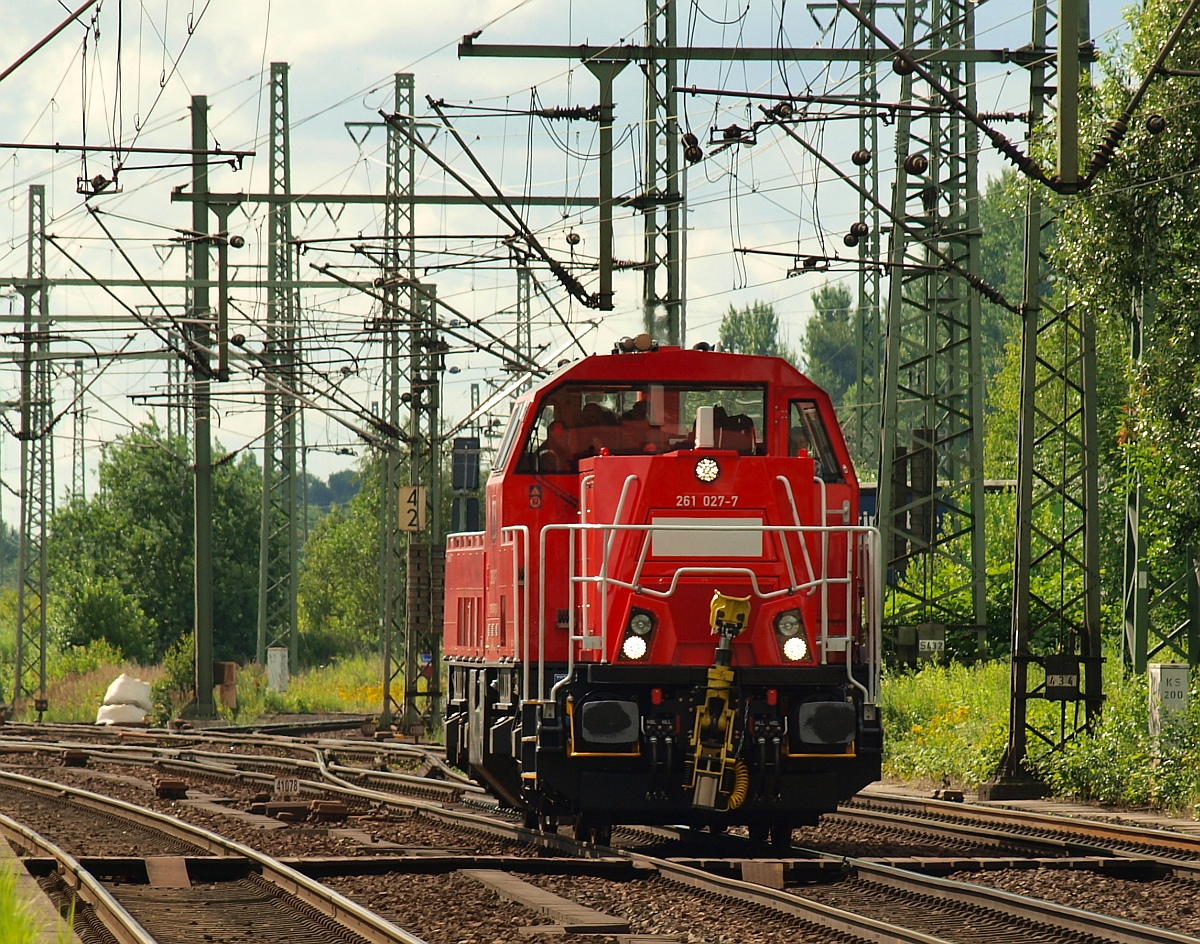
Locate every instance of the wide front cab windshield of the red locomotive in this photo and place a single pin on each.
(578, 420)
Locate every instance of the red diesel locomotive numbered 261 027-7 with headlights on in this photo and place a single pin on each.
(673, 616)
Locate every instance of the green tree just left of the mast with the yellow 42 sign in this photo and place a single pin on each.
(340, 578)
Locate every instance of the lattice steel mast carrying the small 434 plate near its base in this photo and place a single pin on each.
(1057, 590)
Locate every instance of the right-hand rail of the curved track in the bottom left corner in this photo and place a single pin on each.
(325, 900)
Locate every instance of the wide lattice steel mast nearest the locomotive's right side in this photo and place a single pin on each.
(931, 485)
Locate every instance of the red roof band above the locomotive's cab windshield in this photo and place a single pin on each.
(671, 365)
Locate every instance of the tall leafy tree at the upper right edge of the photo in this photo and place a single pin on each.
(1137, 237)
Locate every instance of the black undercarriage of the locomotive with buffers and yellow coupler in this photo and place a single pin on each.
(765, 748)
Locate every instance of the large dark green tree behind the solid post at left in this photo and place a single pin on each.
(135, 538)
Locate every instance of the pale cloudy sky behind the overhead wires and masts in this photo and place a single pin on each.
(343, 57)
